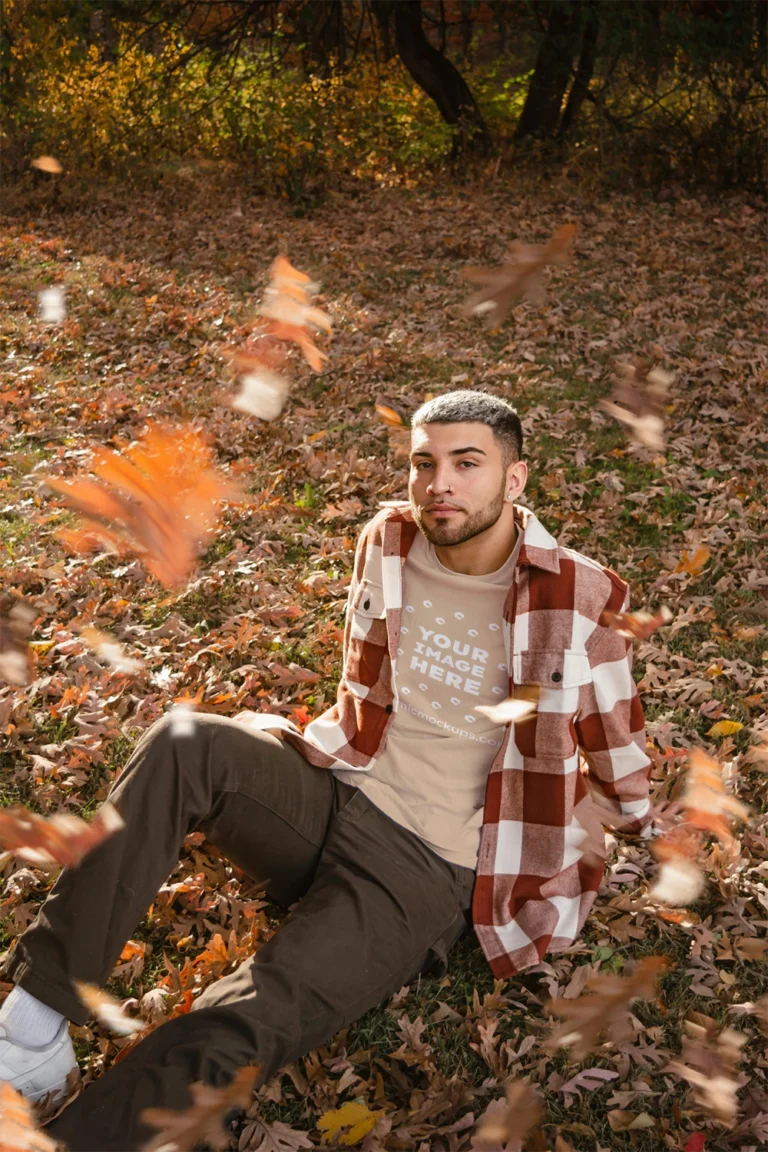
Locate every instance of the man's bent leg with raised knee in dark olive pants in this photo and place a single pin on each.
(252, 794)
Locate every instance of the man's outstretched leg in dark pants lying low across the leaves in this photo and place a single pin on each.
(382, 910)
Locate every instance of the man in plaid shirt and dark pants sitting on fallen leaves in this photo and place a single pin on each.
(434, 815)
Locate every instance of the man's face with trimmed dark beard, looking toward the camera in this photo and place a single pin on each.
(467, 460)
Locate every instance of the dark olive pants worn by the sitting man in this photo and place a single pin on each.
(376, 908)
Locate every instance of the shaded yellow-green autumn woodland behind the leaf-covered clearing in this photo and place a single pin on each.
(302, 97)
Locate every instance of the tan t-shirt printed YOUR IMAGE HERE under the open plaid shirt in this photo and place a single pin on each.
(432, 774)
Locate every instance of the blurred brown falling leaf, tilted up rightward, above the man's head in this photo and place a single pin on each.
(521, 278)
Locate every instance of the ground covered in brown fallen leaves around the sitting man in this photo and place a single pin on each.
(157, 285)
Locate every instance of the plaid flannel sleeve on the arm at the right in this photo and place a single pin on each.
(611, 732)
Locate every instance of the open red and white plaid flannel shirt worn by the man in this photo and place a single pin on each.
(534, 888)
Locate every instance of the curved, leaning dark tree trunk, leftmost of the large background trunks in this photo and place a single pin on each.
(437, 77)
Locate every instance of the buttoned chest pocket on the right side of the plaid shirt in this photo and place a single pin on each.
(557, 676)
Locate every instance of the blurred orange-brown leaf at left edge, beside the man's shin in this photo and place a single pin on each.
(56, 842)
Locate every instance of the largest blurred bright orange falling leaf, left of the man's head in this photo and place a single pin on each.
(164, 501)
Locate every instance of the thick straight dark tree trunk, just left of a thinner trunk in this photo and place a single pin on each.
(553, 71)
